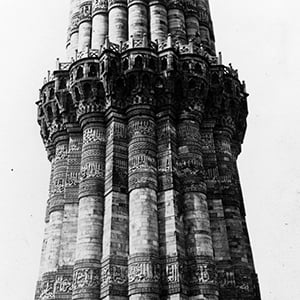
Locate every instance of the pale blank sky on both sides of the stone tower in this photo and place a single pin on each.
(259, 37)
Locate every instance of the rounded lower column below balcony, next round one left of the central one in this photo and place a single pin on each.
(86, 276)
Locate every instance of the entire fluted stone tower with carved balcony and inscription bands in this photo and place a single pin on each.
(143, 127)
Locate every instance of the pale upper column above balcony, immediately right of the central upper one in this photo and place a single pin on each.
(158, 20)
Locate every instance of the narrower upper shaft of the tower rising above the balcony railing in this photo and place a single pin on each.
(92, 21)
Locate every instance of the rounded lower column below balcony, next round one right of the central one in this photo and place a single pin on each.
(199, 250)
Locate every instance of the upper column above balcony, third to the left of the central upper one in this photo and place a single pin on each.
(85, 25)
